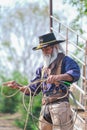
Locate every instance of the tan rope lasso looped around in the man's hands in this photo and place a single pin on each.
(31, 99)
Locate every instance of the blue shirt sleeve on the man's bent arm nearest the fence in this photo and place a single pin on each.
(71, 68)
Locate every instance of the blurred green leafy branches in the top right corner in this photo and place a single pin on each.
(80, 20)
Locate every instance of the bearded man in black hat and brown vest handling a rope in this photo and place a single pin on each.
(50, 78)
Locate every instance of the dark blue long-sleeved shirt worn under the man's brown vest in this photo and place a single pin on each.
(69, 66)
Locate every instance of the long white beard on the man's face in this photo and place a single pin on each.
(48, 59)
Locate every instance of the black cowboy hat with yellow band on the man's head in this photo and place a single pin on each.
(47, 40)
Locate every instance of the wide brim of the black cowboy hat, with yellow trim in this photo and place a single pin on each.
(46, 45)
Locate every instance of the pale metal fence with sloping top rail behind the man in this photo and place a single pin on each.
(79, 53)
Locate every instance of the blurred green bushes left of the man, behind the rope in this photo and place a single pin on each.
(15, 103)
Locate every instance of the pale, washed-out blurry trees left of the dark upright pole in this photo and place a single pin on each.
(20, 28)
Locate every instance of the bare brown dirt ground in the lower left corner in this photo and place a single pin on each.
(7, 121)
